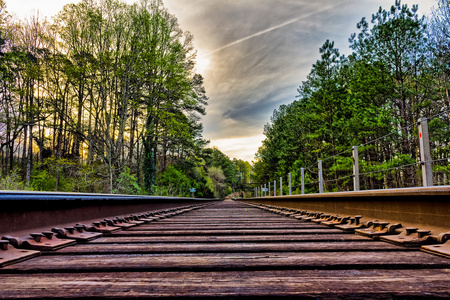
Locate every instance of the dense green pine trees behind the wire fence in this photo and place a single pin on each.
(398, 72)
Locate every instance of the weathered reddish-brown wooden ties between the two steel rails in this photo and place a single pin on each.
(230, 249)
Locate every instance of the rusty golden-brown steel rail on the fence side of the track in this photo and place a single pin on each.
(421, 207)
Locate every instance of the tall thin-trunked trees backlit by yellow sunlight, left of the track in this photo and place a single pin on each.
(105, 98)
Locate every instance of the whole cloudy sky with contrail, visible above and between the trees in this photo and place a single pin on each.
(253, 54)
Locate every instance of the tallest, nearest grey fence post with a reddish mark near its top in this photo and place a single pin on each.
(425, 153)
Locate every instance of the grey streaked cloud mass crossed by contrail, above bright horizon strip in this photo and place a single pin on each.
(260, 52)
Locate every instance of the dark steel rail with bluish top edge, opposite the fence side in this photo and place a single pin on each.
(22, 211)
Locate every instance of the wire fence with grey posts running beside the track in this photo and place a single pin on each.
(347, 168)
